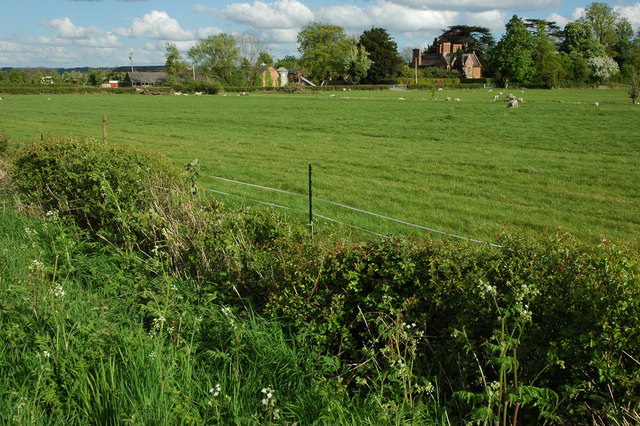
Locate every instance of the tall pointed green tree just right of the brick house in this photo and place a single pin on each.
(513, 55)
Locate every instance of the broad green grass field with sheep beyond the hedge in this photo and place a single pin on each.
(468, 168)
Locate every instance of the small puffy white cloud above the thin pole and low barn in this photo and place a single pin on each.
(156, 24)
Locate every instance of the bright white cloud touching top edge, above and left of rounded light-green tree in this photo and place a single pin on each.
(279, 14)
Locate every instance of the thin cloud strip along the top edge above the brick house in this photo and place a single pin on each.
(479, 5)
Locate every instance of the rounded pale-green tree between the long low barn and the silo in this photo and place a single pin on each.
(218, 56)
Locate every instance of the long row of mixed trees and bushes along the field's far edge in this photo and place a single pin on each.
(598, 48)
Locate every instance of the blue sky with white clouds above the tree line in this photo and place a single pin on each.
(104, 33)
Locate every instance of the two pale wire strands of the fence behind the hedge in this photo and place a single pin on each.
(333, 203)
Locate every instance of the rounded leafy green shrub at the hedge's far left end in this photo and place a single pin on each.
(108, 190)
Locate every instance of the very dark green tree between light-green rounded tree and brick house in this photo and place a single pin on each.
(383, 52)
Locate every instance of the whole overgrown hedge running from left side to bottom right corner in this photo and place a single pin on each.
(534, 331)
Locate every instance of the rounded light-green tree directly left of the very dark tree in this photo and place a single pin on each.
(324, 48)
